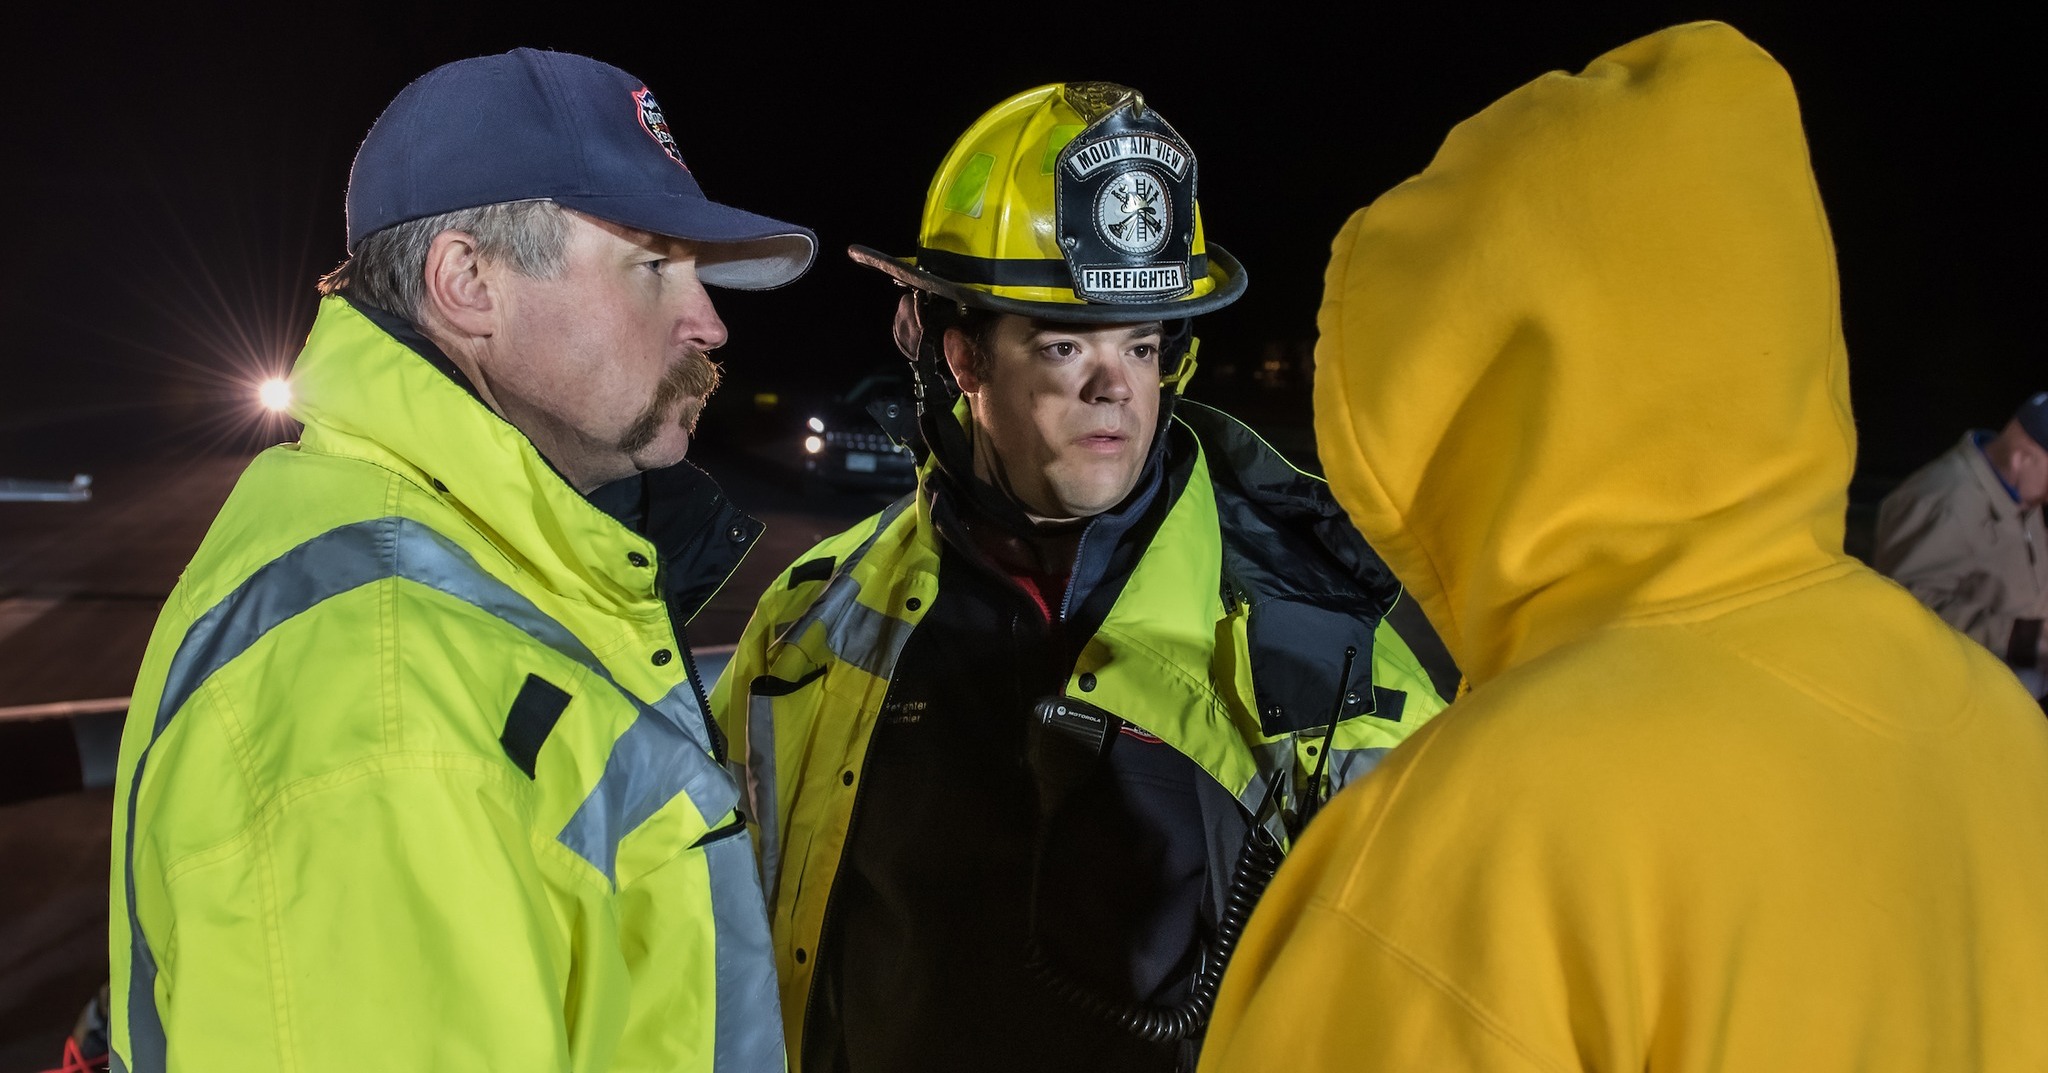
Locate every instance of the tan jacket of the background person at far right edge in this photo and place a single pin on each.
(1955, 538)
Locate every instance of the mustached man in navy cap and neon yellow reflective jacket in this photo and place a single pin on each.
(419, 773)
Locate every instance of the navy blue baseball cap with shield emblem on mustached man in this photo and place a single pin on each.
(564, 128)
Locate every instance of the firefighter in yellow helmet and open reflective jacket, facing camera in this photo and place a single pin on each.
(1027, 744)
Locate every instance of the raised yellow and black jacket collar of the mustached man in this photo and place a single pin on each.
(374, 388)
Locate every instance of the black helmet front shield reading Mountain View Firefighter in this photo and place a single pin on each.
(1125, 194)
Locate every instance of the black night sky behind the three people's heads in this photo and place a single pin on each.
(177, 181)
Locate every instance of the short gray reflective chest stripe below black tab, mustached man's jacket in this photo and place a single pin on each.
(650, 765)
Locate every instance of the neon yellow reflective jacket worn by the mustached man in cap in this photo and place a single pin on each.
(417, 775)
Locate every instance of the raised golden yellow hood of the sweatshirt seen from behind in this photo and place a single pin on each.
(1590, 366)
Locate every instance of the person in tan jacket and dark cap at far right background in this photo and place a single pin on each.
(1965, 535)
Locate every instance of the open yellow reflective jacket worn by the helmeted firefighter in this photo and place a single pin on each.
(1177, 658)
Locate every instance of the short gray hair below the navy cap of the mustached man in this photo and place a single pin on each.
(390, 267)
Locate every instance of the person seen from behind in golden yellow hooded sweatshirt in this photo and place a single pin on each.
(1717, 798)
